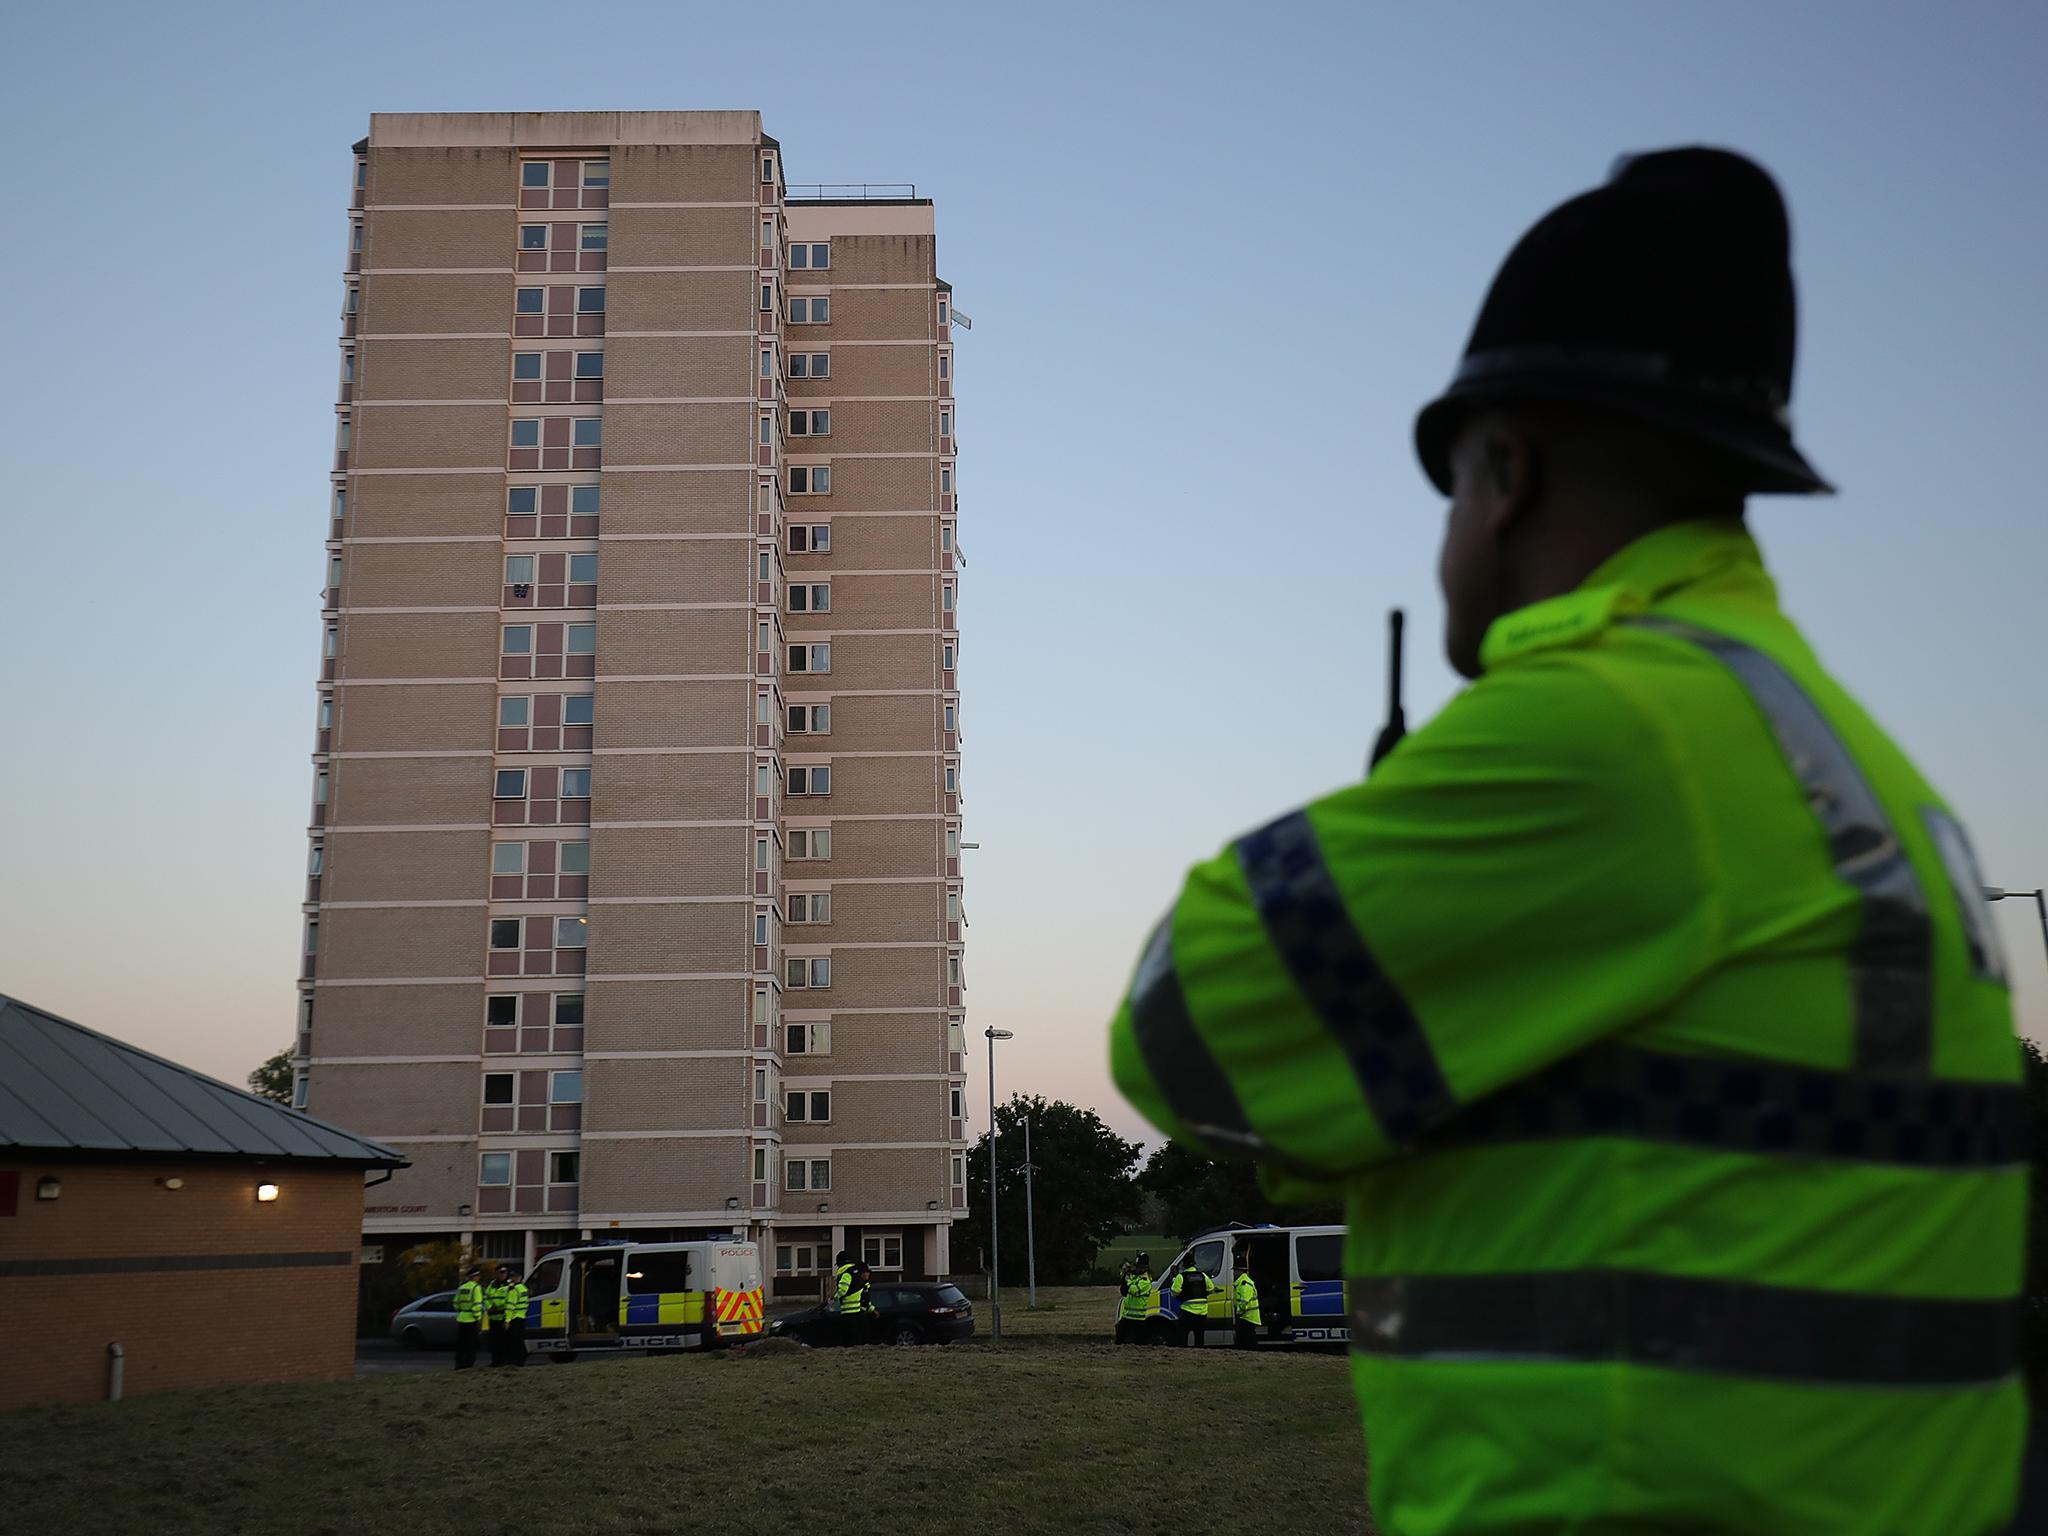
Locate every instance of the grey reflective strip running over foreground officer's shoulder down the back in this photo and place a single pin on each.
(1891, 964)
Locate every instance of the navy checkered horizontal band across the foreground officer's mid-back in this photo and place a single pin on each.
(1754, 1107)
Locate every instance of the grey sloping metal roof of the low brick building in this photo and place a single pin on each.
(69, 1089)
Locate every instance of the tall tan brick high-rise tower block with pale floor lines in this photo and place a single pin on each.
(636, 873)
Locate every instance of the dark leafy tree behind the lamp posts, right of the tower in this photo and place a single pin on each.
(1082, 1191)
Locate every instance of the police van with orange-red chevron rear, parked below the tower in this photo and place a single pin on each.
(644, 1297)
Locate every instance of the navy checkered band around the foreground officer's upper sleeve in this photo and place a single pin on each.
(1336, 974)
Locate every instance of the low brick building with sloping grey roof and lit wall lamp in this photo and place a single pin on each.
(206, 1232)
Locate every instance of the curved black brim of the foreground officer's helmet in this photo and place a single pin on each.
(1768, 460)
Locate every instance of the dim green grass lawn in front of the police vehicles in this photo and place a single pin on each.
(1037, 1435)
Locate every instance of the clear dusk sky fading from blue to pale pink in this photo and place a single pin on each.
(1213, 257)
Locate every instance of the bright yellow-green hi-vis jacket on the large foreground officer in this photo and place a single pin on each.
(1648, 1011)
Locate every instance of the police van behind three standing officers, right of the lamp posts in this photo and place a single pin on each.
(1299, 1275)
